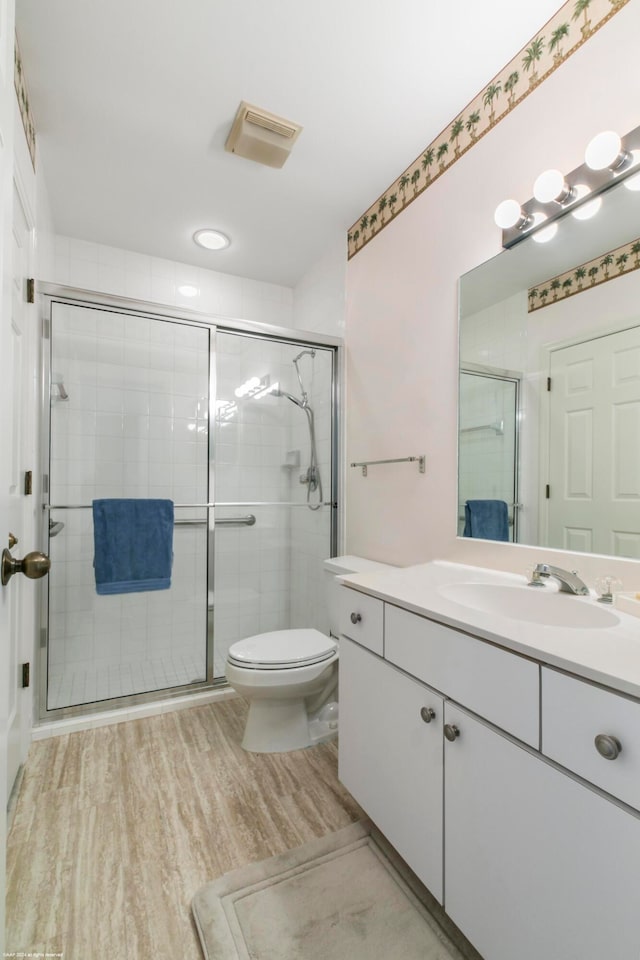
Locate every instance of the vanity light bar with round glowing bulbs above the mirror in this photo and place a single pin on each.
(609, 159)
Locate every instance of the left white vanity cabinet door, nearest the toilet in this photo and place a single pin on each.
(391, 759)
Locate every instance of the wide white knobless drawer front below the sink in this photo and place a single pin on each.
(498, 685)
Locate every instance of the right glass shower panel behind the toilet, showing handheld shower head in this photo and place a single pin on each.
(274, 483)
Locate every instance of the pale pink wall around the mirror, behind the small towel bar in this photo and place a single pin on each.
(402, 358)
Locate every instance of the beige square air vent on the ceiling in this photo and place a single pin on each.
(261, 136)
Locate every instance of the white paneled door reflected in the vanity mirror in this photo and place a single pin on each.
(594, 446)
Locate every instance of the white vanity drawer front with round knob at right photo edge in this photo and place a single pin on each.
(574, 713)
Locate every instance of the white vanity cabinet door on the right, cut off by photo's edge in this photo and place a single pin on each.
(536, 864)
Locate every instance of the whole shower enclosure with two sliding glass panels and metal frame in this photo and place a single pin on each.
(238, 429)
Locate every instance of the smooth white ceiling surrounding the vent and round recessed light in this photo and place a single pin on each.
(133, 101)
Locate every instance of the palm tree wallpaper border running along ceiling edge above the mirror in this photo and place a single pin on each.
(574, 23)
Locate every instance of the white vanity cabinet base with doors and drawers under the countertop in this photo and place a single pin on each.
(536, 862)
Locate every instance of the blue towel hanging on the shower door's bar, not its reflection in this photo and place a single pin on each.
(133, 545)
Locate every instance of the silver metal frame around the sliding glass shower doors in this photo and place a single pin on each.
(49, 294)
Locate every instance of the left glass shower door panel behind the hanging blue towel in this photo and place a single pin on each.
(129, 407)
